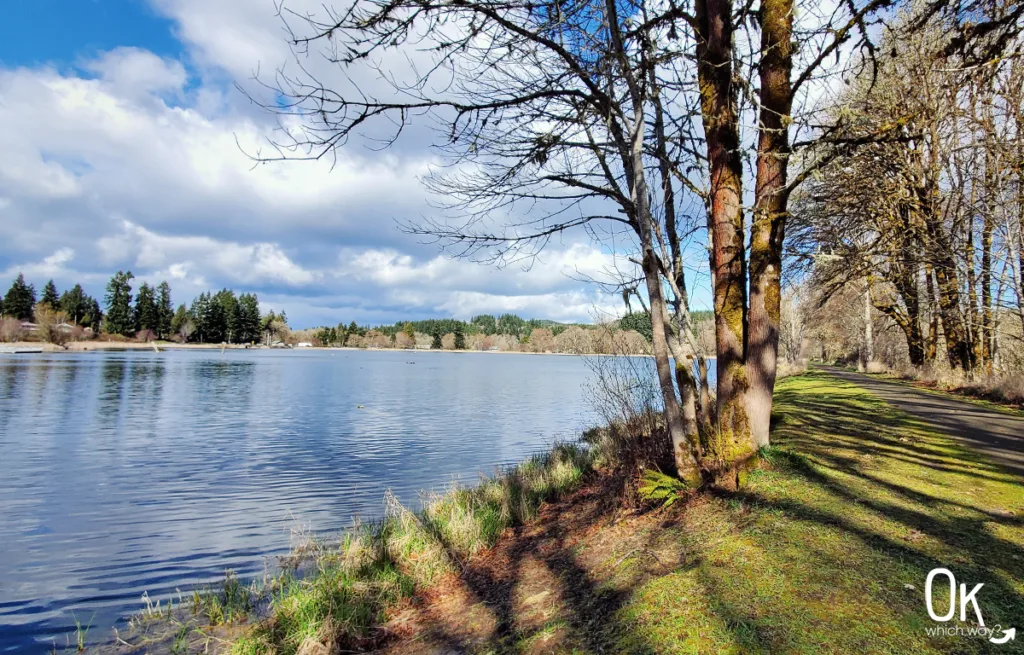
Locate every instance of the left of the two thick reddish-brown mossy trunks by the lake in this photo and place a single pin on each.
(729, 257)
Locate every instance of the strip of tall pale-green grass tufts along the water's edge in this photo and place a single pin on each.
(344, 600)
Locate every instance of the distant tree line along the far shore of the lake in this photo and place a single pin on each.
(225, 318)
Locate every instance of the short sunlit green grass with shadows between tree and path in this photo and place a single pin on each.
(828, 550)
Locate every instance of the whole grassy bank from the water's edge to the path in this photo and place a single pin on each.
(826, 551)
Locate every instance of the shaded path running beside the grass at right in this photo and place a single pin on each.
(1000, 436)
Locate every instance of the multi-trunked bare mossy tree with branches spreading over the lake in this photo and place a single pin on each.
(582, 118)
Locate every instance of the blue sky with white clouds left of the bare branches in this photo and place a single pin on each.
(122, 152)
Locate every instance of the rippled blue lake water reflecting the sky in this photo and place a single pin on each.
(132, 472)
